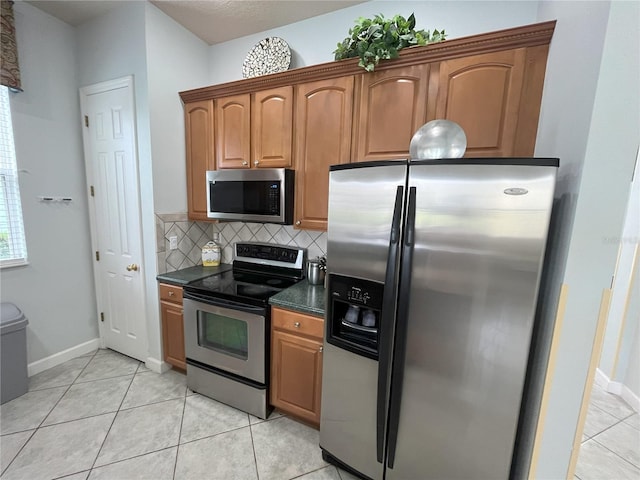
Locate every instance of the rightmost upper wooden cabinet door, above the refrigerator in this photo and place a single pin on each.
(482, 94)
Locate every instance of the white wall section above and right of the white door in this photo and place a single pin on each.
(113, 46)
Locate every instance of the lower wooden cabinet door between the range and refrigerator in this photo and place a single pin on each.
(296, 375)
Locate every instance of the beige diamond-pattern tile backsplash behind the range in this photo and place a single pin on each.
(192, 236)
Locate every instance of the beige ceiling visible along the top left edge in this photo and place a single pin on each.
(214, 21)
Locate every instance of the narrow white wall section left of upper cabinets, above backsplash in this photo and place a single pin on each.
(177, 60)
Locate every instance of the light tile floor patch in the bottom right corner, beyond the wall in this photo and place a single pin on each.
(611, 441)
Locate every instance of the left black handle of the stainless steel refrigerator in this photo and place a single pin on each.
(386, 323)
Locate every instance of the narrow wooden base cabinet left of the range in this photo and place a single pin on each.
(172, 325)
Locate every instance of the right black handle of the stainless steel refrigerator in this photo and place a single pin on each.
(401, 328)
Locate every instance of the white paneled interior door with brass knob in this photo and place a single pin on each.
(112, 173)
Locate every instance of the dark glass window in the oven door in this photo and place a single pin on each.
(223, 334)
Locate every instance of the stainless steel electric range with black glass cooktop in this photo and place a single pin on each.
(227, 324)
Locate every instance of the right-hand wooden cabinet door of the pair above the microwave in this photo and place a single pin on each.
(271, 127)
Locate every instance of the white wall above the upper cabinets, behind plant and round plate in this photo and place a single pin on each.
(313, 41)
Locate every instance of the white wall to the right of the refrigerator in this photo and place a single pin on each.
(590, 119)
